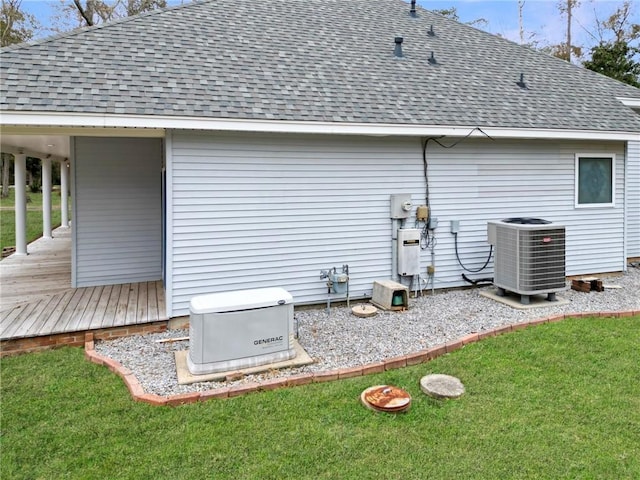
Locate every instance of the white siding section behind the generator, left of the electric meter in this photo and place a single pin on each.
(259, 211)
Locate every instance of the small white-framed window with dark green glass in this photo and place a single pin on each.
(595, 180)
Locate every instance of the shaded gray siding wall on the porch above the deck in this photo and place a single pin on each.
(117, 211)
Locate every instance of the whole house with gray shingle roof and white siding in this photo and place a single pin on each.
(228, 144)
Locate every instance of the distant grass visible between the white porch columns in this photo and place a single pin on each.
(34, 217)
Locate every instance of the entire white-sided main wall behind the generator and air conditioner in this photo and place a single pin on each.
(257, 211)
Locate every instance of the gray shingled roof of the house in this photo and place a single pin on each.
(309, 60)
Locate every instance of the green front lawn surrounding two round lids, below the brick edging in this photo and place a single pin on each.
(556, 401)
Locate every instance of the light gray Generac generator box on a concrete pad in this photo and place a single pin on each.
(240, 329)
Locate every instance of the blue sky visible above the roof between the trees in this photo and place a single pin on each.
(539, 16)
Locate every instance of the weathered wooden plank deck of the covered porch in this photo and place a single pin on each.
(36, 297)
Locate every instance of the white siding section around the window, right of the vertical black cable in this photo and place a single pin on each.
(484, 180)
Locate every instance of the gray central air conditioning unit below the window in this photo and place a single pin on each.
(529, 256)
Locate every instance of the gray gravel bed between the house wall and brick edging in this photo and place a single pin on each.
(340, 339)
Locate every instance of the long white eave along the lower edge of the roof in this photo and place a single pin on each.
(88, 124)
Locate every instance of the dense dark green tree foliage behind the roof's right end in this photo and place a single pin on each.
(615, 60)
